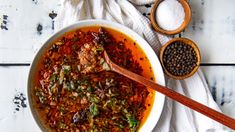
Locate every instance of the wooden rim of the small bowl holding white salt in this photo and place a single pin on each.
(188, 15)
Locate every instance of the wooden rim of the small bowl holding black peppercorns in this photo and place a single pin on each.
(187, 42)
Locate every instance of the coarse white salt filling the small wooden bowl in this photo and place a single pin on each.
(170, 14)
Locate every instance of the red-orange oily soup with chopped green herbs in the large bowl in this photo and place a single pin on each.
(73, 95)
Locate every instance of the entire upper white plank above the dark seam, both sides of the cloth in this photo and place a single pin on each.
(212, 28)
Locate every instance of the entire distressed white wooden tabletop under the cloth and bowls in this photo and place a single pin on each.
(26, 24)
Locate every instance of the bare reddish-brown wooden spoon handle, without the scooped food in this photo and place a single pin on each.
(211, 113)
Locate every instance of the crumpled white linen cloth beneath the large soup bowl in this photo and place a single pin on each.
(175, 117)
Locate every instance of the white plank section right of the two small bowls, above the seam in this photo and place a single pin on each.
(213, 28)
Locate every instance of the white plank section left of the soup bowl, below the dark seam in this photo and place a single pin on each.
(13, 82)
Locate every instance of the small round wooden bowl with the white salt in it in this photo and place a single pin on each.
(170, 16)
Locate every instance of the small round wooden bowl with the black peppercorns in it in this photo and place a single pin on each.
(180, 58)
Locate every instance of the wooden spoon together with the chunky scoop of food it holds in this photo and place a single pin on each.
(92, 62)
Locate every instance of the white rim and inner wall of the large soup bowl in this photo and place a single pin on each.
(158, 103)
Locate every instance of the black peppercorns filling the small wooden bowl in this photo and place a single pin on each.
(179, 58)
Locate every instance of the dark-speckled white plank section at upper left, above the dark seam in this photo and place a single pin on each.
(27, 25)
